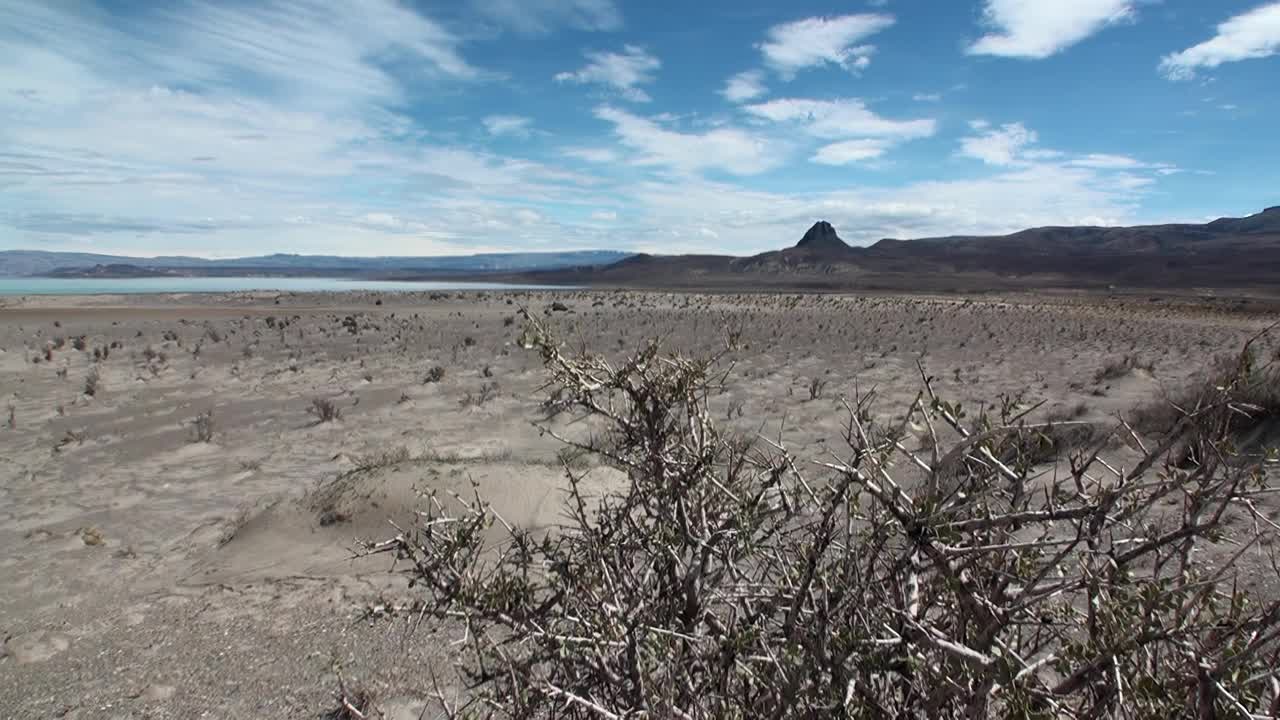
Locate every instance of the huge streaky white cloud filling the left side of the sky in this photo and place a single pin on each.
(99, 151)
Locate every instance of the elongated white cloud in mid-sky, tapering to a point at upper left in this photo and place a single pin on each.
(721, 149)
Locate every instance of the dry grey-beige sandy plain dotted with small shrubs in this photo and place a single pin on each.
(144, 575)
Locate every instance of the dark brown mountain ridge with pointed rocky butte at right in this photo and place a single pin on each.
(1223, 254)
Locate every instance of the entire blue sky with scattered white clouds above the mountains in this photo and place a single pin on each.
(391, 127)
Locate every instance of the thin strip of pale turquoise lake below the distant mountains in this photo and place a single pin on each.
(125, 286)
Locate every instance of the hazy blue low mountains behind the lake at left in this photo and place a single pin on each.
(67, 265)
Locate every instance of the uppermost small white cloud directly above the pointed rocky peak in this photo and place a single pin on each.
(821, 42)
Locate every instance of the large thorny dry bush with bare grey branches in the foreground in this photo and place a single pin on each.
(730, 581)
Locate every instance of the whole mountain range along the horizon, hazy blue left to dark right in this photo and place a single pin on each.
(1229, 253)
